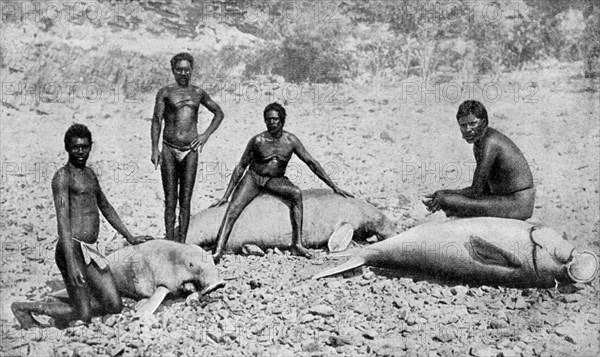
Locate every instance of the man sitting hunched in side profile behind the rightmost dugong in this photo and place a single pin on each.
(502, 182)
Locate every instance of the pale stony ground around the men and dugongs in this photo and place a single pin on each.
(389, 145)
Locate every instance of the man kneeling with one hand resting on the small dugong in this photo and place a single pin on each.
(77, 198)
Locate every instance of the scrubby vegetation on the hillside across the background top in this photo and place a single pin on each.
(306, 41)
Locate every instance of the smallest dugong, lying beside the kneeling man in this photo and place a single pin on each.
(158, 267)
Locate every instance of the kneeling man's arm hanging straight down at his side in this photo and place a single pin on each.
(60, 192)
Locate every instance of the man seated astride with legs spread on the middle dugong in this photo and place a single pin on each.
(267, 155)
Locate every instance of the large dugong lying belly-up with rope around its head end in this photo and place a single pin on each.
(485, 250)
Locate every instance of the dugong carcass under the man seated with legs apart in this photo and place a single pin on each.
(265, 222)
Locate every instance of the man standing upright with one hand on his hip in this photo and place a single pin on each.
(178, 105)
